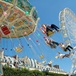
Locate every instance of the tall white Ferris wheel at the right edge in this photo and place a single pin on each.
(68, 29)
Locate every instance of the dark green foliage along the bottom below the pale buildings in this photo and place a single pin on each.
(24, 72)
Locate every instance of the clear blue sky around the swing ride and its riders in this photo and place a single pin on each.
(48, 11)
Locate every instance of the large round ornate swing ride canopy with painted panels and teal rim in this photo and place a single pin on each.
(17, 16)
